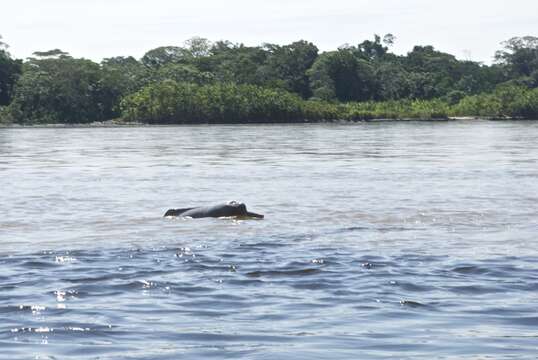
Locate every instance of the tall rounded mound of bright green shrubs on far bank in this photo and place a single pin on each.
(173, 102)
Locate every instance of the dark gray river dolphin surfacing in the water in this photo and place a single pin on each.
(230, 209)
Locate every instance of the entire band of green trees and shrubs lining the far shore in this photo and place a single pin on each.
(222, 82)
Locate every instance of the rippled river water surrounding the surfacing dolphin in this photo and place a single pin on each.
(402, 240)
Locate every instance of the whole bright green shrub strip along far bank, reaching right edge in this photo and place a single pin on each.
(179, 103)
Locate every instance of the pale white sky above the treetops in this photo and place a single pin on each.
(103, 28)
